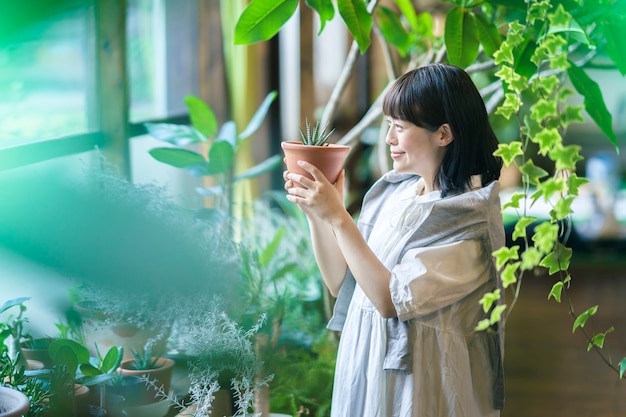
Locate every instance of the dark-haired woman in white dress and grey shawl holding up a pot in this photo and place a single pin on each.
(408, 278)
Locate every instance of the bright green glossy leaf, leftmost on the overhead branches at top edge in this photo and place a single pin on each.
(262, 19)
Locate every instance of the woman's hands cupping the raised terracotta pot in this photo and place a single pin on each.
(318, 196)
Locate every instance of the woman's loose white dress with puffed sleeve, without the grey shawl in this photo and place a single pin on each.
(435, 290)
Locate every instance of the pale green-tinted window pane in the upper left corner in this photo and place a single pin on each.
(45, 79)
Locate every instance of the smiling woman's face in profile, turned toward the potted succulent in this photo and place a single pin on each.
(416, 150)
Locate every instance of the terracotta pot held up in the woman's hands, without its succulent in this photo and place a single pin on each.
(328, 159)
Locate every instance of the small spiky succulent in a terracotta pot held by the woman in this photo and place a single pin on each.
(314, 148)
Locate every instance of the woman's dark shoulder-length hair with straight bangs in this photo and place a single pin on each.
(435, 94)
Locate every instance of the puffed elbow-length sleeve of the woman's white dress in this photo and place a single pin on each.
(430, 278)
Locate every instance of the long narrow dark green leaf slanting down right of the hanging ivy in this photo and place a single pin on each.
(594, 102)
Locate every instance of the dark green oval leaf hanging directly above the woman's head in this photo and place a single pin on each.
(461, 37)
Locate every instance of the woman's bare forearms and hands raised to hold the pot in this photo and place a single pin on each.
(323, 204)
